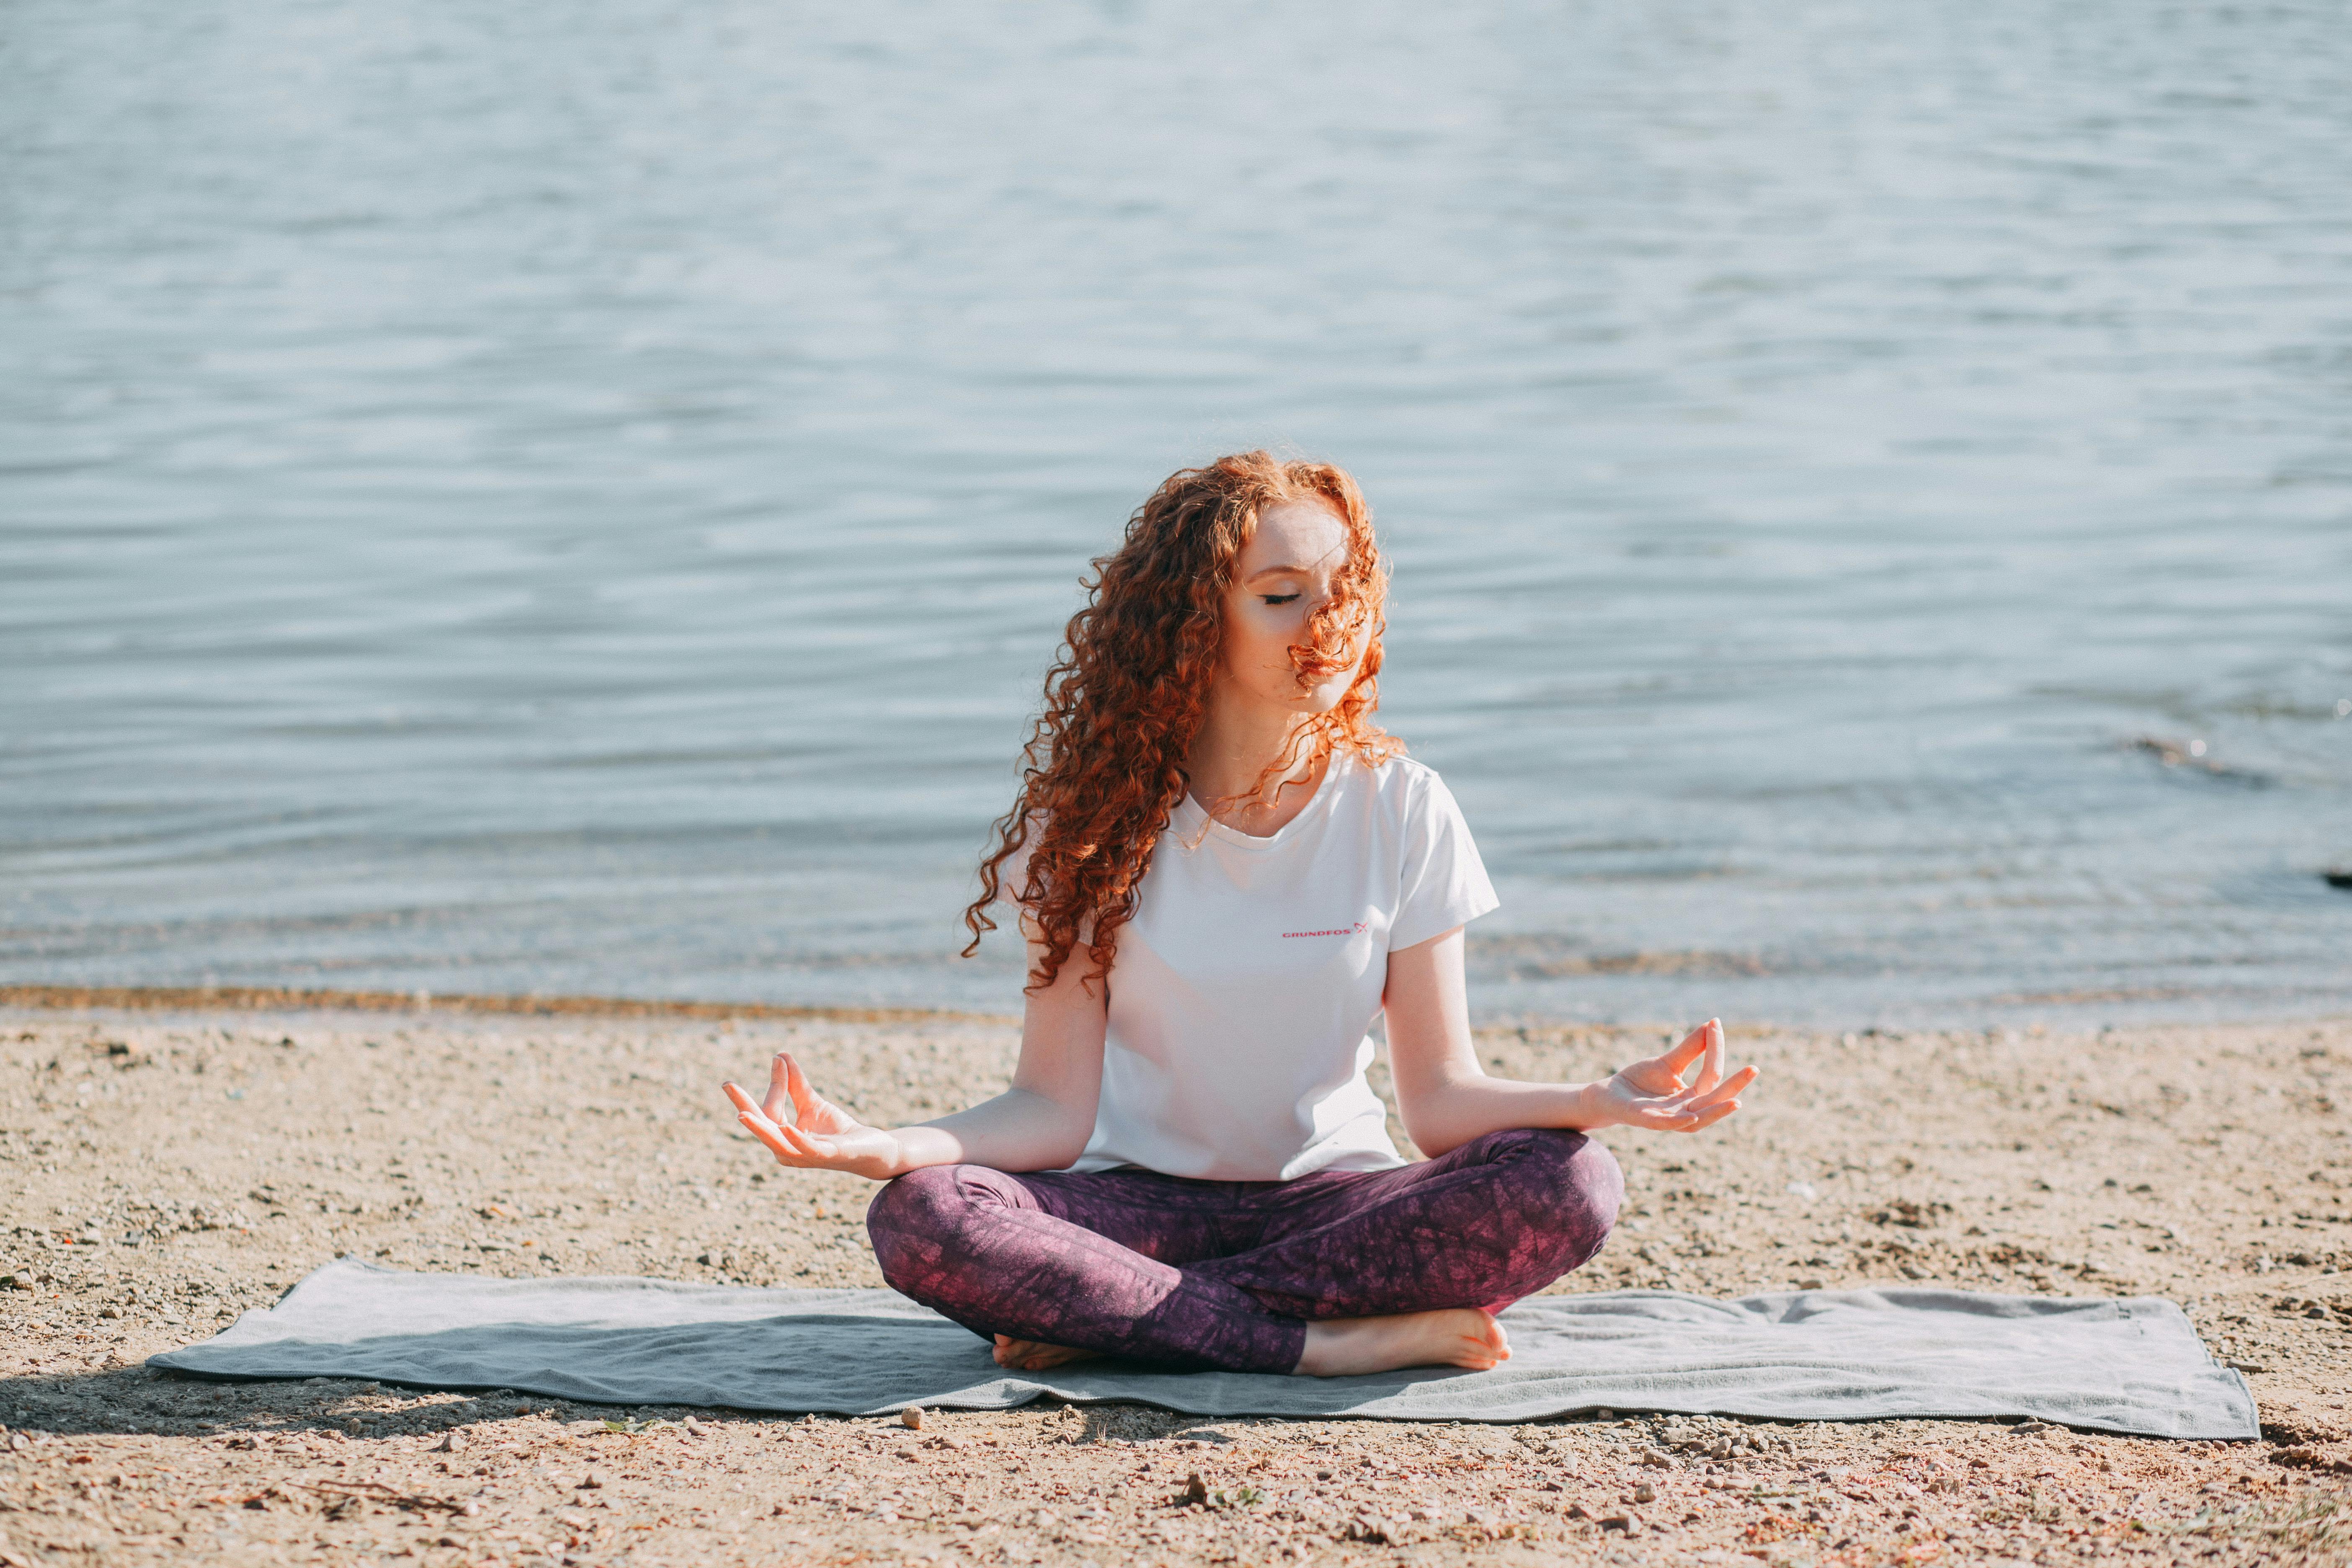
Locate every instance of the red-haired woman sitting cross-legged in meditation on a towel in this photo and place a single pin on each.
(1224, 871)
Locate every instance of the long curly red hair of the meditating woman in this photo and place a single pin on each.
(1123, 704)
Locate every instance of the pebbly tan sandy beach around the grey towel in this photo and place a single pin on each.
(171, 1170)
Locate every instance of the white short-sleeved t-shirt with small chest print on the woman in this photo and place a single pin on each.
(1252, 970)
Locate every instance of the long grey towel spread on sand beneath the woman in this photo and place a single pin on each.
(1800, 1355)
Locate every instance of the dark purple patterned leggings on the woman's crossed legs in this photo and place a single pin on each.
(1227, 1275)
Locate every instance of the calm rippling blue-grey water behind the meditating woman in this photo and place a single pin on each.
(577, 497)
